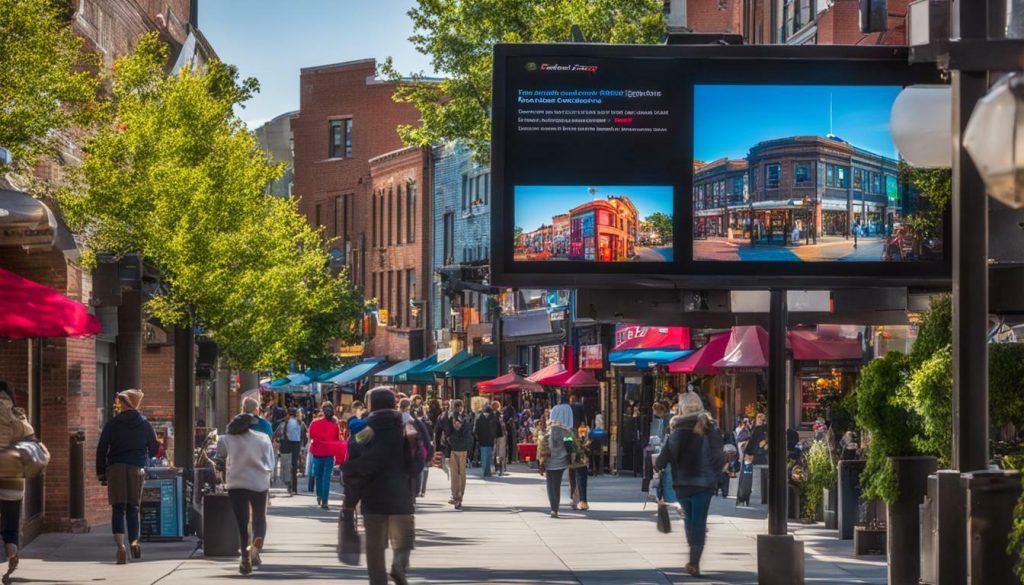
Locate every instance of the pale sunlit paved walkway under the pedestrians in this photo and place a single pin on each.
(503, 535)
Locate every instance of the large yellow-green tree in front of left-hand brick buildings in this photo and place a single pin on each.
(177, 177)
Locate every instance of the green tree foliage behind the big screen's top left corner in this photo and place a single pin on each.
(460, 35)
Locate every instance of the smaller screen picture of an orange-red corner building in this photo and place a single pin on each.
(593, 224)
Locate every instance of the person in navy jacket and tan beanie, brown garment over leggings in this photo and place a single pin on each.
(125, 446)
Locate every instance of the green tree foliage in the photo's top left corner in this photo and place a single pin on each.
(47, 83)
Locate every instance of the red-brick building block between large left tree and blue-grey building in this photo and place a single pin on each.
(347, 119)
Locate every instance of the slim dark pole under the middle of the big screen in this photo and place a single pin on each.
(778, 482)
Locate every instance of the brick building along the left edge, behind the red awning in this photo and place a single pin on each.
(68, 386)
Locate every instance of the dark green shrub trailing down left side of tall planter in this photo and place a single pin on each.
(891, 427)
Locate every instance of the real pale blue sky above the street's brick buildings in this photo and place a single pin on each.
(273, 40)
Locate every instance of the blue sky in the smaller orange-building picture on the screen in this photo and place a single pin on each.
(535, 205)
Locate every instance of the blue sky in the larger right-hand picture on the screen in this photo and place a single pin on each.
(731, 119)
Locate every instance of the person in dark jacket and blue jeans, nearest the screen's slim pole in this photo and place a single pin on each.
(695, 448)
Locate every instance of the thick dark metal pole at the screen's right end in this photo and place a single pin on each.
(970, 222)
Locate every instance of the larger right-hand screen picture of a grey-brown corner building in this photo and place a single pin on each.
(804, 174)
